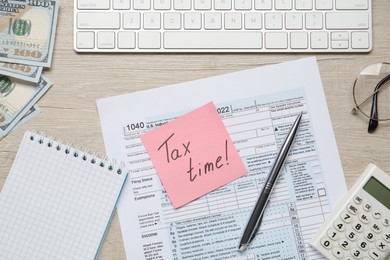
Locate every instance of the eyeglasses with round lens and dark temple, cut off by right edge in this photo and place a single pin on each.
(371, 93)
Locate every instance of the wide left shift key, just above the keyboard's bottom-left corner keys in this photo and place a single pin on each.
(98, 20)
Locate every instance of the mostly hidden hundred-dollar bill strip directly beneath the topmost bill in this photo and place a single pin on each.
(21, 71)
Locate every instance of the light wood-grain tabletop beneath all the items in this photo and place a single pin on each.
(69, 108)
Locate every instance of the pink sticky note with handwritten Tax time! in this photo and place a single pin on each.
(193, 155)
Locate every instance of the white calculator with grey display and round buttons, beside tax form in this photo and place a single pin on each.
(359, 228)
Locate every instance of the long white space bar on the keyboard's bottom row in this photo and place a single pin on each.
(212, 40)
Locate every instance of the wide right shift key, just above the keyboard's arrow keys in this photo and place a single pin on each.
(344, 20)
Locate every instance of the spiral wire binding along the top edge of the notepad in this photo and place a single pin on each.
(94, 158)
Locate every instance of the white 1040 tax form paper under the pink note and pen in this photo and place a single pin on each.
(257, 107)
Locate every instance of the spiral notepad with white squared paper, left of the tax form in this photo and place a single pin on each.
(57, 201)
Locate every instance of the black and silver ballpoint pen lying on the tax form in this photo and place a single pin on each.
(258, 212)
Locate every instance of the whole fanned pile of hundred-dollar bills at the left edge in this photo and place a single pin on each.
(27, 33)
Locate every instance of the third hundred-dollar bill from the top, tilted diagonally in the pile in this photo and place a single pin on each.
(17, 97)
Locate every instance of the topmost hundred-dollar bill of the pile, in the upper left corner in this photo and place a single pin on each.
(27, 32)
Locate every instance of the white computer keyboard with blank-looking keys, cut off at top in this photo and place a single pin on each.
(222, 25)
